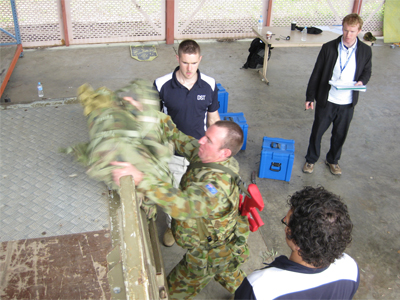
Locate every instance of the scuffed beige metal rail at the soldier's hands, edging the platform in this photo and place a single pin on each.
(136, 269)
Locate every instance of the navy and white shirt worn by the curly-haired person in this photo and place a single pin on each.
(285, 279)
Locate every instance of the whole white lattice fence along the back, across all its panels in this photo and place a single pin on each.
(46, 22)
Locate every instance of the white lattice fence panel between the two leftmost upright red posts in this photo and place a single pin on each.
(104, 21)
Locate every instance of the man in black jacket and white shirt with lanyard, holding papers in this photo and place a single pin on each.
(349, 60)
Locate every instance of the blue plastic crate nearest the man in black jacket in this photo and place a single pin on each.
(277, 156)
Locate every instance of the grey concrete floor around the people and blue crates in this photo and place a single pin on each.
(370, 181)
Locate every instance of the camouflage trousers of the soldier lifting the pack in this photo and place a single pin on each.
(199, 266)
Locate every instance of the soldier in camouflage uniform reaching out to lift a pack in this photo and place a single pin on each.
(205, 214)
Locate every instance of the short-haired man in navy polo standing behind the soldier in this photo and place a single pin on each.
(191, 99)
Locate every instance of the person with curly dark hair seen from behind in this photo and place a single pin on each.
(318, 230)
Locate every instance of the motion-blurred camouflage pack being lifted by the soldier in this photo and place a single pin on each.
(119, 131)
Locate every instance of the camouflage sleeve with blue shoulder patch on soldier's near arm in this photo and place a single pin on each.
(199, 199)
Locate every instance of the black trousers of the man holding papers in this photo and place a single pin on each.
(340, 116)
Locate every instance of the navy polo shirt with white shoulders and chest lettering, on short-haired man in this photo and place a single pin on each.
(188, 108)
